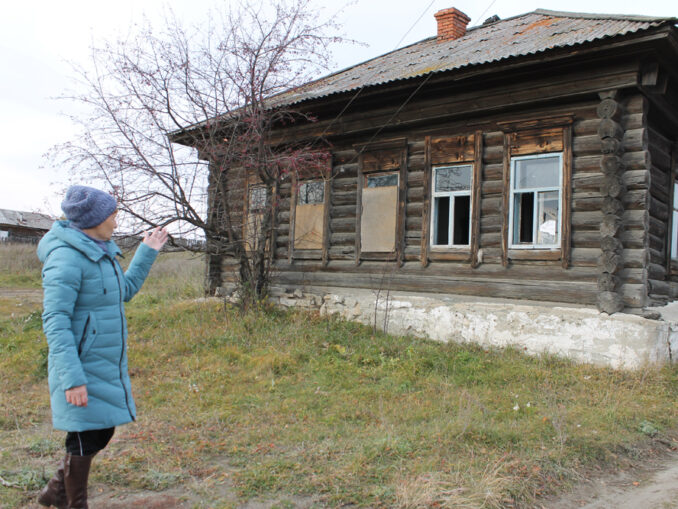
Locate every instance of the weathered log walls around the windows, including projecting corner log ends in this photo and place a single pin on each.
(618, 193)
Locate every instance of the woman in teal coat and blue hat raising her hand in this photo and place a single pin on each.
(84, 321)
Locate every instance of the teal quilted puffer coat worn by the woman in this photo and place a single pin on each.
(84, 321)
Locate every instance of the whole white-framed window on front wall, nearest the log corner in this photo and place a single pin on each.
(535, 201)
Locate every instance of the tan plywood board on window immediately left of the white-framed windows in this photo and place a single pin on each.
(378, 220)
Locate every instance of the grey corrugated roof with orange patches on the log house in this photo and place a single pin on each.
(527, 34)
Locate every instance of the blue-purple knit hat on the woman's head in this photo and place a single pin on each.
(86, 207)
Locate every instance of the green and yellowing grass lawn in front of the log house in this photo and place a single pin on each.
(280, 405)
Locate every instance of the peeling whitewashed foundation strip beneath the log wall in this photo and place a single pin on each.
(580, 333)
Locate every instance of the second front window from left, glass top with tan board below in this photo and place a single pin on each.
(309, 216)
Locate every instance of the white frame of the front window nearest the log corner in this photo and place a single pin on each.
(535, 190)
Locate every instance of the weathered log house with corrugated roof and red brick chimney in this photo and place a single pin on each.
(529, 158)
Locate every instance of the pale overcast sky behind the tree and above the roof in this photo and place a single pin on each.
(38, 38)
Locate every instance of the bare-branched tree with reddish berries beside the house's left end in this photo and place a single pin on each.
(217, 88)
